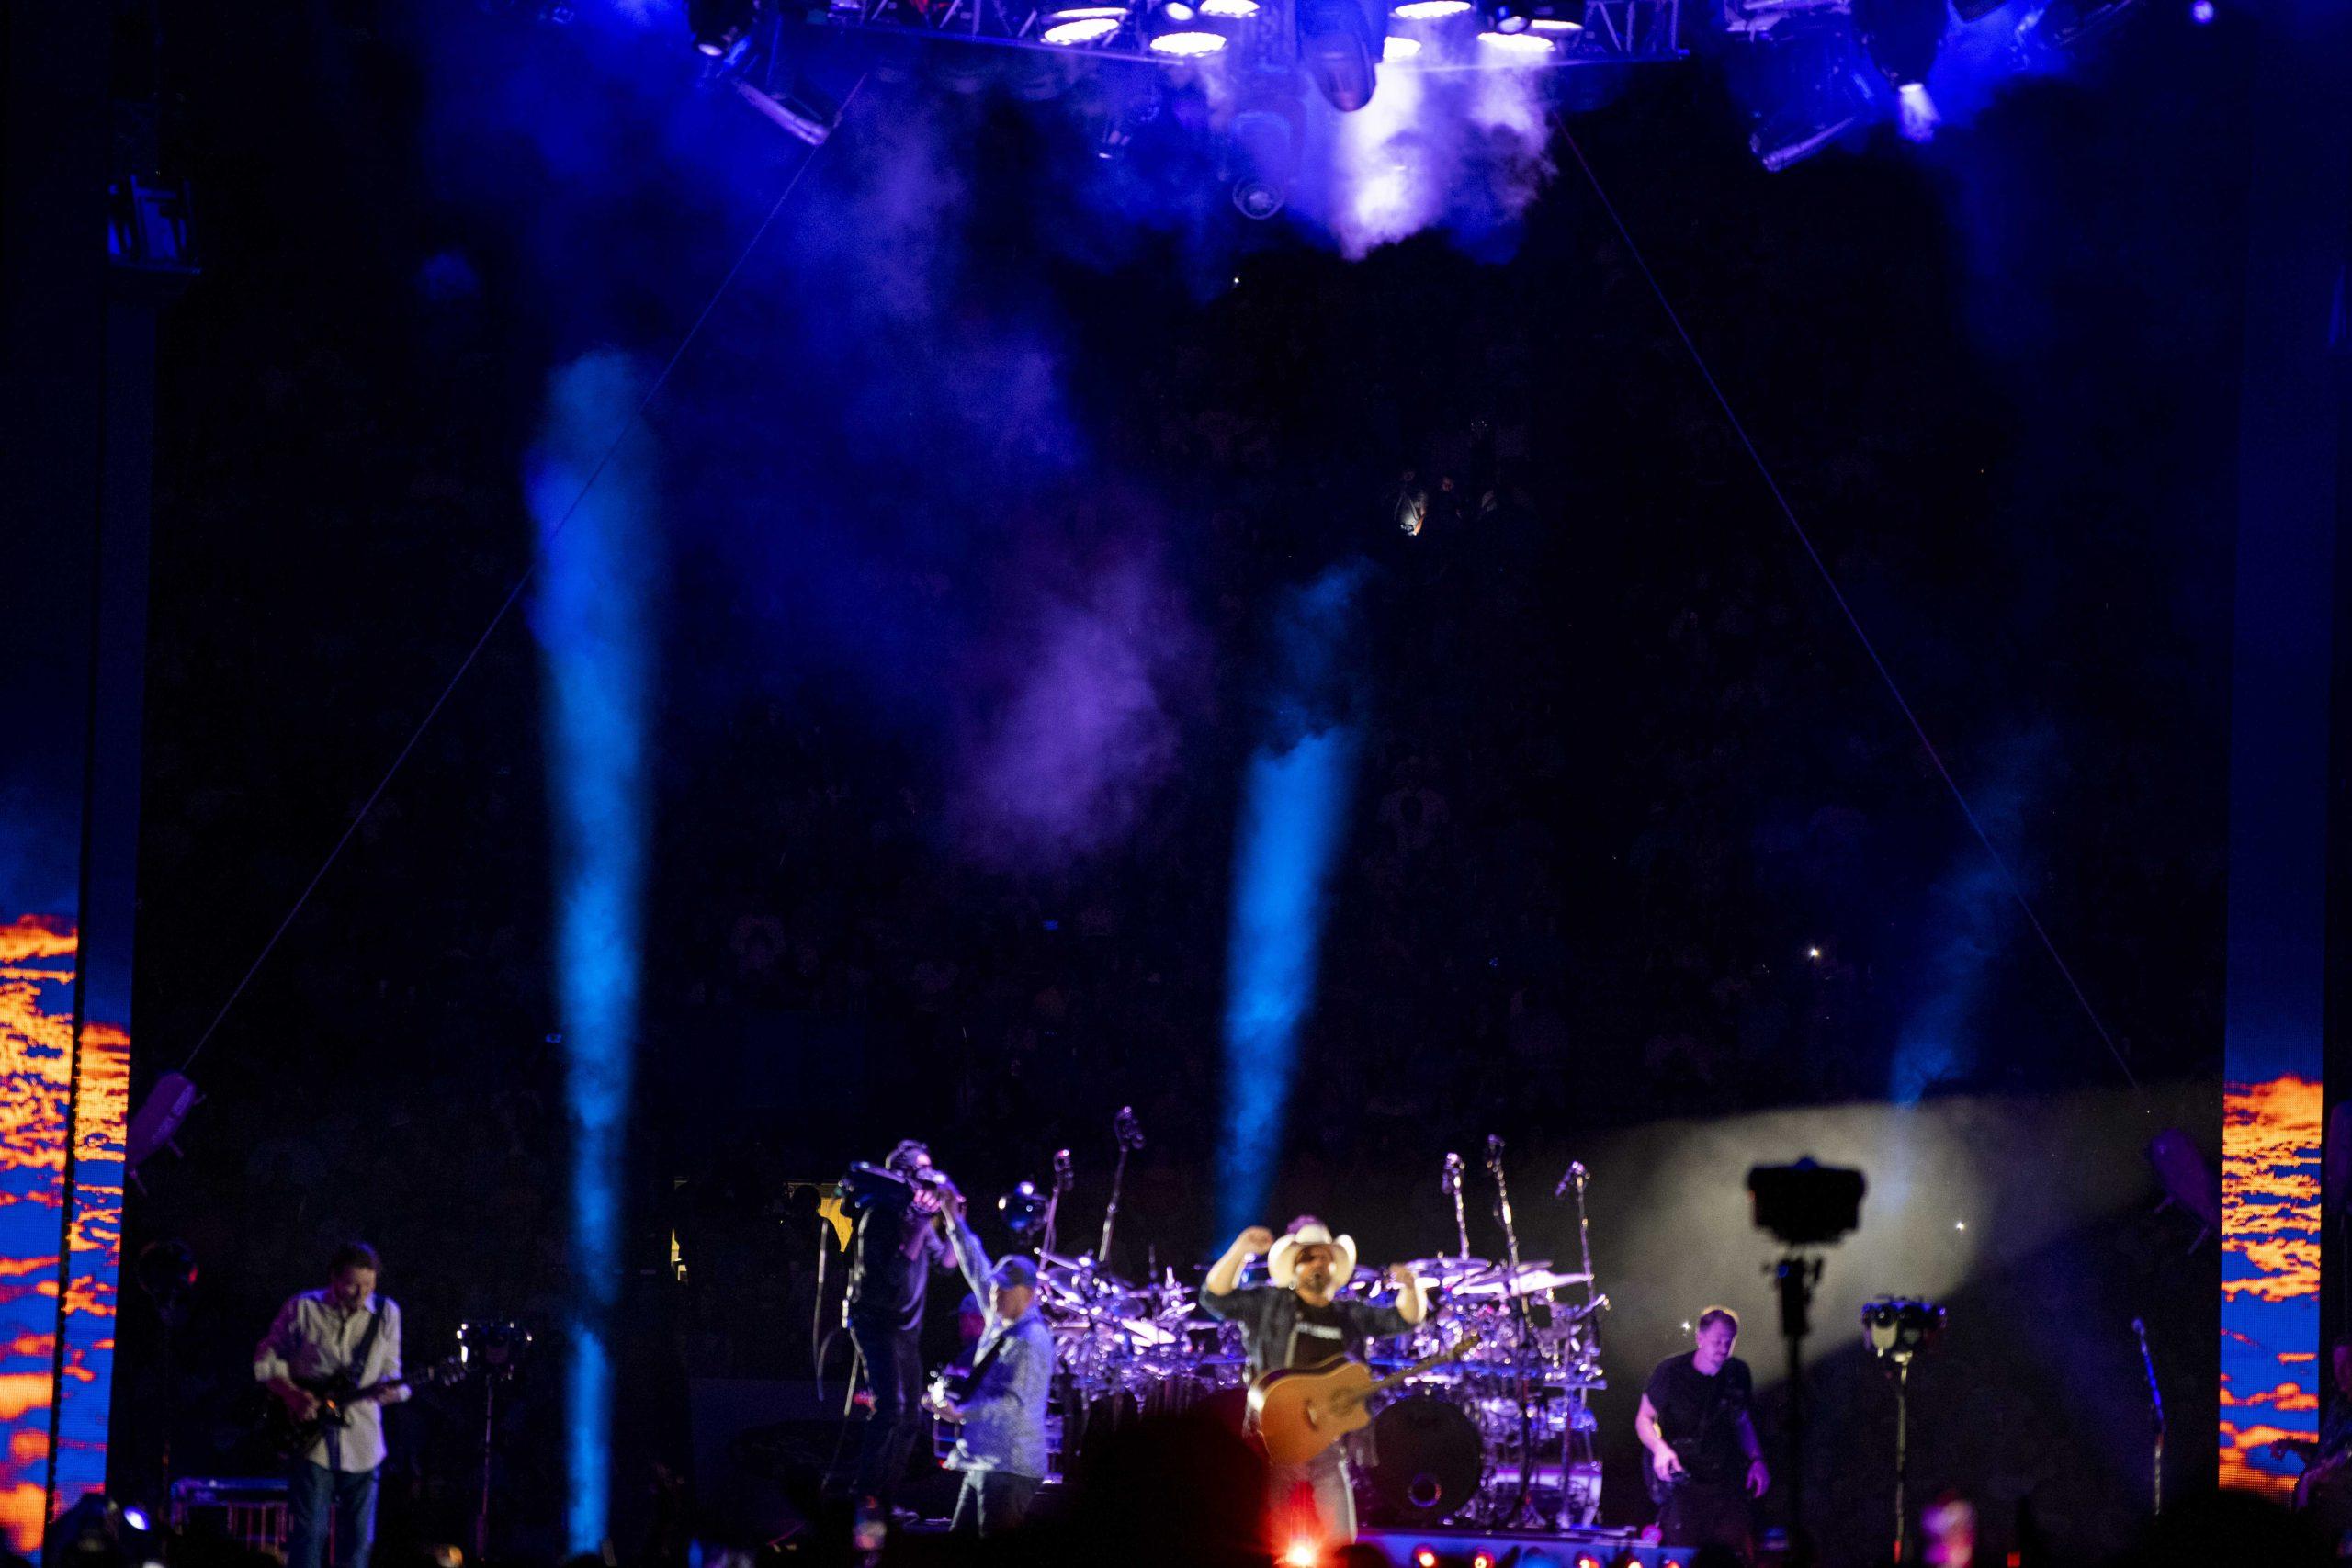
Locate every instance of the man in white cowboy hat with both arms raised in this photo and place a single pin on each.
(1299, 1322)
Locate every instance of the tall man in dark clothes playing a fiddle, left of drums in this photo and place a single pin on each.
(895, 1249)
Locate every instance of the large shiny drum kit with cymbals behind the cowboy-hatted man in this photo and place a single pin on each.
(1502, 1438)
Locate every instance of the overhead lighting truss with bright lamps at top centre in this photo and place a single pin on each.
(1610, 32)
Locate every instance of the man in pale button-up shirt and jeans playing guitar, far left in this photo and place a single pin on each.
(335, 1341)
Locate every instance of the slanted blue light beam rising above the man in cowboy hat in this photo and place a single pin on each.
(1295, 817)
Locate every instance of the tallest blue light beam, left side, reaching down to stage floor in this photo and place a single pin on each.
(592, 617)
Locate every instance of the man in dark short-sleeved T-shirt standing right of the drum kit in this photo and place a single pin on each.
(1704, 1454)
